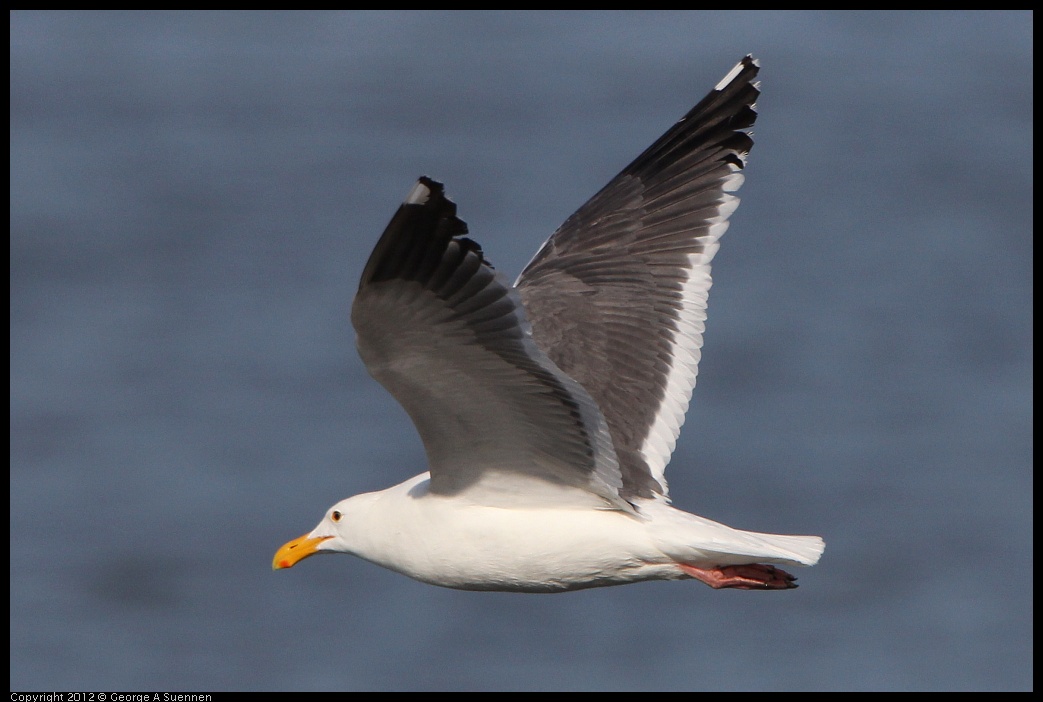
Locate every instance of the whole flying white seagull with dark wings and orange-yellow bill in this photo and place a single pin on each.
(549, 409)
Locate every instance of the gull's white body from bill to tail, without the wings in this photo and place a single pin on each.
(532, 549)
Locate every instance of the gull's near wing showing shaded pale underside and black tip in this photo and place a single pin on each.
(449, 340)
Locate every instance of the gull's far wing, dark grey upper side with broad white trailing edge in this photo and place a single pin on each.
(617, 298)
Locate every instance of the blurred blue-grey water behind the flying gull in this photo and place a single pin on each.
(193, 198)
